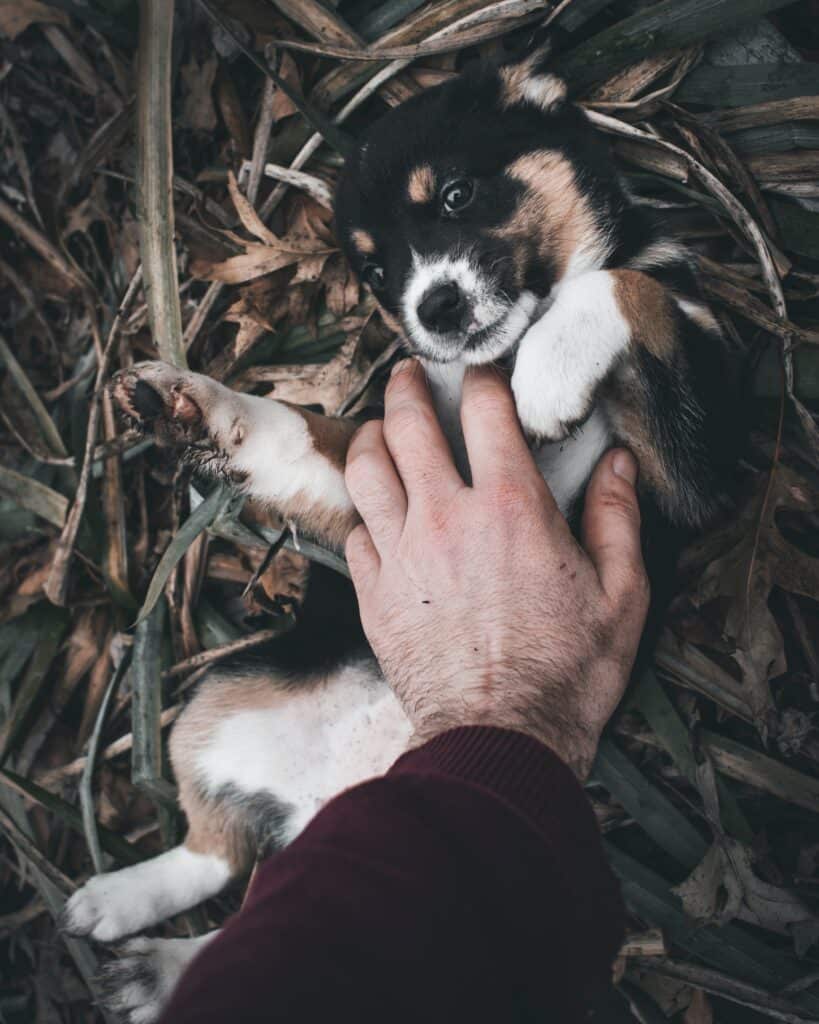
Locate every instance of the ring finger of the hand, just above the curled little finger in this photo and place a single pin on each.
(374, 486)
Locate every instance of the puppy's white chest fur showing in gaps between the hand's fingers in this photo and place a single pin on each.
(566, 465)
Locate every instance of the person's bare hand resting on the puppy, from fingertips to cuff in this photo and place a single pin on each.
(480, 605)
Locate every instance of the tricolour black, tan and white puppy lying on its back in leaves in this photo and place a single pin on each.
(488, 220)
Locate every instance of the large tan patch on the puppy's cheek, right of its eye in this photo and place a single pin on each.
(554, 216)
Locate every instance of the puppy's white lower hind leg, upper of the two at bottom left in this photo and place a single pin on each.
(110, 907)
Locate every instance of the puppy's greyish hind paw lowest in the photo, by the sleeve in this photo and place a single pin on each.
(140, 985)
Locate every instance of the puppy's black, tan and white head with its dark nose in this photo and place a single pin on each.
(462, 207)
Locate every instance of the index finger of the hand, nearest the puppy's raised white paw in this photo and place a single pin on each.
(496, 446)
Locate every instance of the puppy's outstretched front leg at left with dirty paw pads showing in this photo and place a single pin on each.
(281, 456)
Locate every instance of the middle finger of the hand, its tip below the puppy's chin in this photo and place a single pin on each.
(415, 439)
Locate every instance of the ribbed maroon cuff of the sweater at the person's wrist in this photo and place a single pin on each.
(515, 767)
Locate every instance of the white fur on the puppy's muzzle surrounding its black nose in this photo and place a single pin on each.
(505, 322)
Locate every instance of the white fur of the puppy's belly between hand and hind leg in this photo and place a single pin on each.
(310, 747)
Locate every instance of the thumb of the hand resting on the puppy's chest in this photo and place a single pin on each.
(612, 528)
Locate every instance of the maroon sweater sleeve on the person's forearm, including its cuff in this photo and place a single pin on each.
(468, 884)
